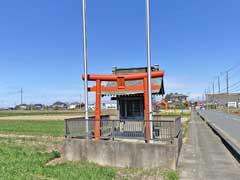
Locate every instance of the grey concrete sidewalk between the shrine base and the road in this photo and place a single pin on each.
(204, 156)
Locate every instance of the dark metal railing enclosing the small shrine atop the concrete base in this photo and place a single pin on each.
(124, 128)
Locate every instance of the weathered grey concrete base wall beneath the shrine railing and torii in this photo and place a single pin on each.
(123, 154)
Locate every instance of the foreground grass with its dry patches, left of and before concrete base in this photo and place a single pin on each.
(27, 158)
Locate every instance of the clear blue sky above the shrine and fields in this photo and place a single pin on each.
(41, 44)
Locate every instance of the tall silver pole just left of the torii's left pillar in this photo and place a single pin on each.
(84, 26)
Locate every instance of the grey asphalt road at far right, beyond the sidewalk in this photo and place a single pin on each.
(228, 124)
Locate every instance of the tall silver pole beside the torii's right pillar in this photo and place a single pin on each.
(149, 69)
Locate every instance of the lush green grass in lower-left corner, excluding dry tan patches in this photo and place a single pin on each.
(25, 163)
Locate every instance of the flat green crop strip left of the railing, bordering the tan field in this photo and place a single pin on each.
(25, 127)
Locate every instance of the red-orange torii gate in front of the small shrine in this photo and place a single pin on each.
(120, 79)
